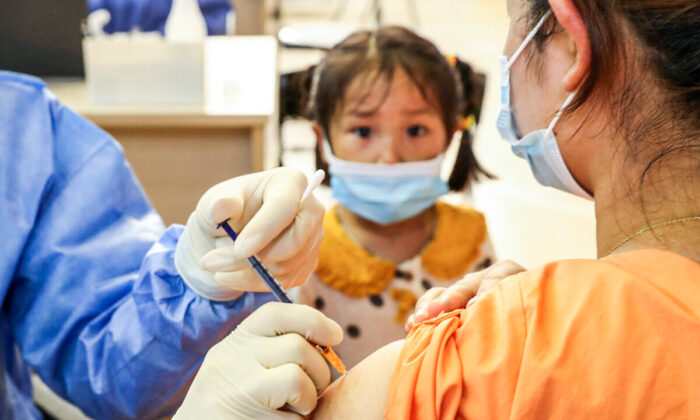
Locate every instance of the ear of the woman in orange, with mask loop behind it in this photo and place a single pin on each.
(569, 18)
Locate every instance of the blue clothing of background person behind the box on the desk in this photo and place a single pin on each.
(150, 15)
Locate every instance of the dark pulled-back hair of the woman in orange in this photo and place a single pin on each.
(655, 45)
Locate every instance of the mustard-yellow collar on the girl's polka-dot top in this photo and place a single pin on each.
(348, 267)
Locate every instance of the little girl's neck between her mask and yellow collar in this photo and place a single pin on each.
(396, 242)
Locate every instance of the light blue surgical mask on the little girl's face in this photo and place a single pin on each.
(385, 193)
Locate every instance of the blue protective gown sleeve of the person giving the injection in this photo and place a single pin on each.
(90, 297)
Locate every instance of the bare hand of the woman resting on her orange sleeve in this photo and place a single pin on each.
(440, 299)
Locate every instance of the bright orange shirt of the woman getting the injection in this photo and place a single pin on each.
(616, 338)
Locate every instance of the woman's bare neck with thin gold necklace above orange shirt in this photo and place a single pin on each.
(624, 208)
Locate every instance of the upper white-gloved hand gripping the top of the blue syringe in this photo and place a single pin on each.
(264, 210)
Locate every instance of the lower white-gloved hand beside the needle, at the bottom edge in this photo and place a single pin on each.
(263, 365)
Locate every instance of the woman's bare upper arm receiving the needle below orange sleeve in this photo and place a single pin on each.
(362, 393)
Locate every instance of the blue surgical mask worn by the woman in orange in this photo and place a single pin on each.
(540, 147)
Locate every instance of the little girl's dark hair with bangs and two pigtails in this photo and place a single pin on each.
(455, 89)
